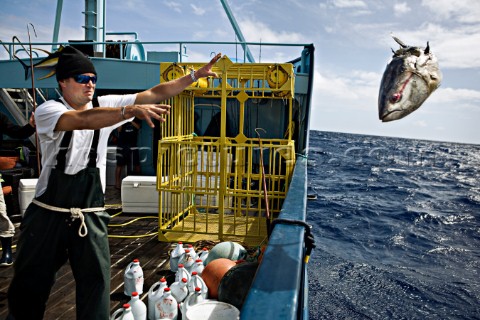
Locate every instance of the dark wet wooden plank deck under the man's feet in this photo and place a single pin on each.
(153, 256)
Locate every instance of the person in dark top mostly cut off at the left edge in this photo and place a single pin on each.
(7, 229)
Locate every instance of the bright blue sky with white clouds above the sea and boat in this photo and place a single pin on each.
(352, 40)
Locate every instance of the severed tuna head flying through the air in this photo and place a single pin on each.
(409, 79)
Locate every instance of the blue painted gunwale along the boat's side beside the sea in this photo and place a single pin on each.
(280, 287)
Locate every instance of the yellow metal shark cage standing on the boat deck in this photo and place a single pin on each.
(211, 188)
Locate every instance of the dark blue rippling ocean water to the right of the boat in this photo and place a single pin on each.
(397, 228)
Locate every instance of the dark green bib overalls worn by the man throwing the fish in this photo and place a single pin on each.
(48, 238)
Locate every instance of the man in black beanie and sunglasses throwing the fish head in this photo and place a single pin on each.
(66, 220)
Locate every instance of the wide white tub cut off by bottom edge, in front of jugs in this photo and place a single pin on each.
(212, 310)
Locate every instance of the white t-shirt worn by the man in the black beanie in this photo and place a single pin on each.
(46, 117)
